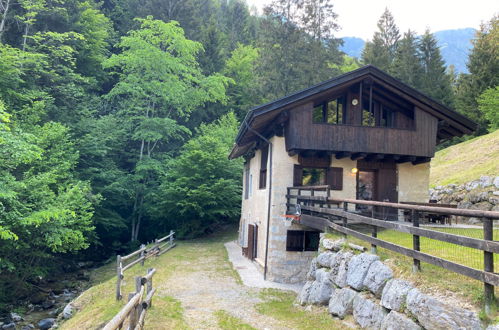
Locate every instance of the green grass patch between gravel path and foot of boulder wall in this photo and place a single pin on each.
(280, 305)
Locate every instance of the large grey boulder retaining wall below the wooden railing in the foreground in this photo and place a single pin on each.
(360, 284)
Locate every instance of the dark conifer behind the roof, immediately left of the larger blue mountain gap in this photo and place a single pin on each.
(435, 82)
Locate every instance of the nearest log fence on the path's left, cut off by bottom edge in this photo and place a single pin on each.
(134, 312)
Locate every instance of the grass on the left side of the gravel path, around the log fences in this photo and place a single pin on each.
(97, 305)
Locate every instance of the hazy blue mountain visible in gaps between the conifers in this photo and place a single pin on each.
(454, 46)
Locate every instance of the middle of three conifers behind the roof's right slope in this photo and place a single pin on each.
(406, 64)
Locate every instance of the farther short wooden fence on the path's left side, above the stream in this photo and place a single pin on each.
(159, 247)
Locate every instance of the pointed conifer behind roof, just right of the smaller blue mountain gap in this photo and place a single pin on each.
(381, 51)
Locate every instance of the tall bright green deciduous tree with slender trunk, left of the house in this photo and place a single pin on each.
(159, 82)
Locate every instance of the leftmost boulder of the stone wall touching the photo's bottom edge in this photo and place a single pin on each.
(367, 313)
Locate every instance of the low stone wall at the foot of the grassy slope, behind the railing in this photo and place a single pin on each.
(481, 194)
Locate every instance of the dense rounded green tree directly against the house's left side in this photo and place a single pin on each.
(202, 189)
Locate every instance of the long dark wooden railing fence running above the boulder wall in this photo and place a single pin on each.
(319, 213)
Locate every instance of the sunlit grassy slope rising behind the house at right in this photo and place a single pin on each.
(466, 161)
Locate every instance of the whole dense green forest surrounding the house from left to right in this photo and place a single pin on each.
(117, 117)
